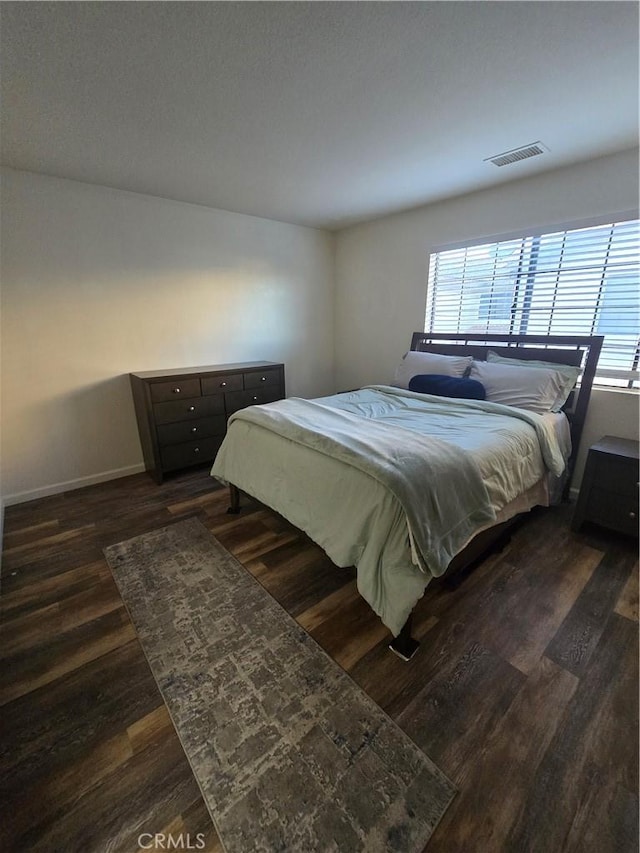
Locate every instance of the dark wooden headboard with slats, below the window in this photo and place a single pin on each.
(576, 350)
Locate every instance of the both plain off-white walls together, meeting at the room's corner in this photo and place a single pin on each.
(96, 283)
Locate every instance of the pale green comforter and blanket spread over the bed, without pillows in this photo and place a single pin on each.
(390, 481)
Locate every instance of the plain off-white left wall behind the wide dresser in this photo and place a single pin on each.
(97, 283)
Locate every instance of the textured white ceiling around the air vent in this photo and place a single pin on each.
(314, 113)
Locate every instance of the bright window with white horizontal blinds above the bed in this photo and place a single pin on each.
(579, 282)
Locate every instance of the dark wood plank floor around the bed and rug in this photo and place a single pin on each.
(524, 690)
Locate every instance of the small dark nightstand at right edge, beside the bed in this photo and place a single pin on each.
(609, 490)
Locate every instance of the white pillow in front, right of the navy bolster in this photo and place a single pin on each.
(532, 388)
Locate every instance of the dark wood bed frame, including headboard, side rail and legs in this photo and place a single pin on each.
(575, 350)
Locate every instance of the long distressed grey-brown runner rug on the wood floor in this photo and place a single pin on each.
(290, 754)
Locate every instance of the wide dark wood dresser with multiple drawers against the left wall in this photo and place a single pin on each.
(182, 413)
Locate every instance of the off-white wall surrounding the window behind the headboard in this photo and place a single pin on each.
(382, 267)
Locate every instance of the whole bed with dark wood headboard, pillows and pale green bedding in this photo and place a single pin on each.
(408, 481)
